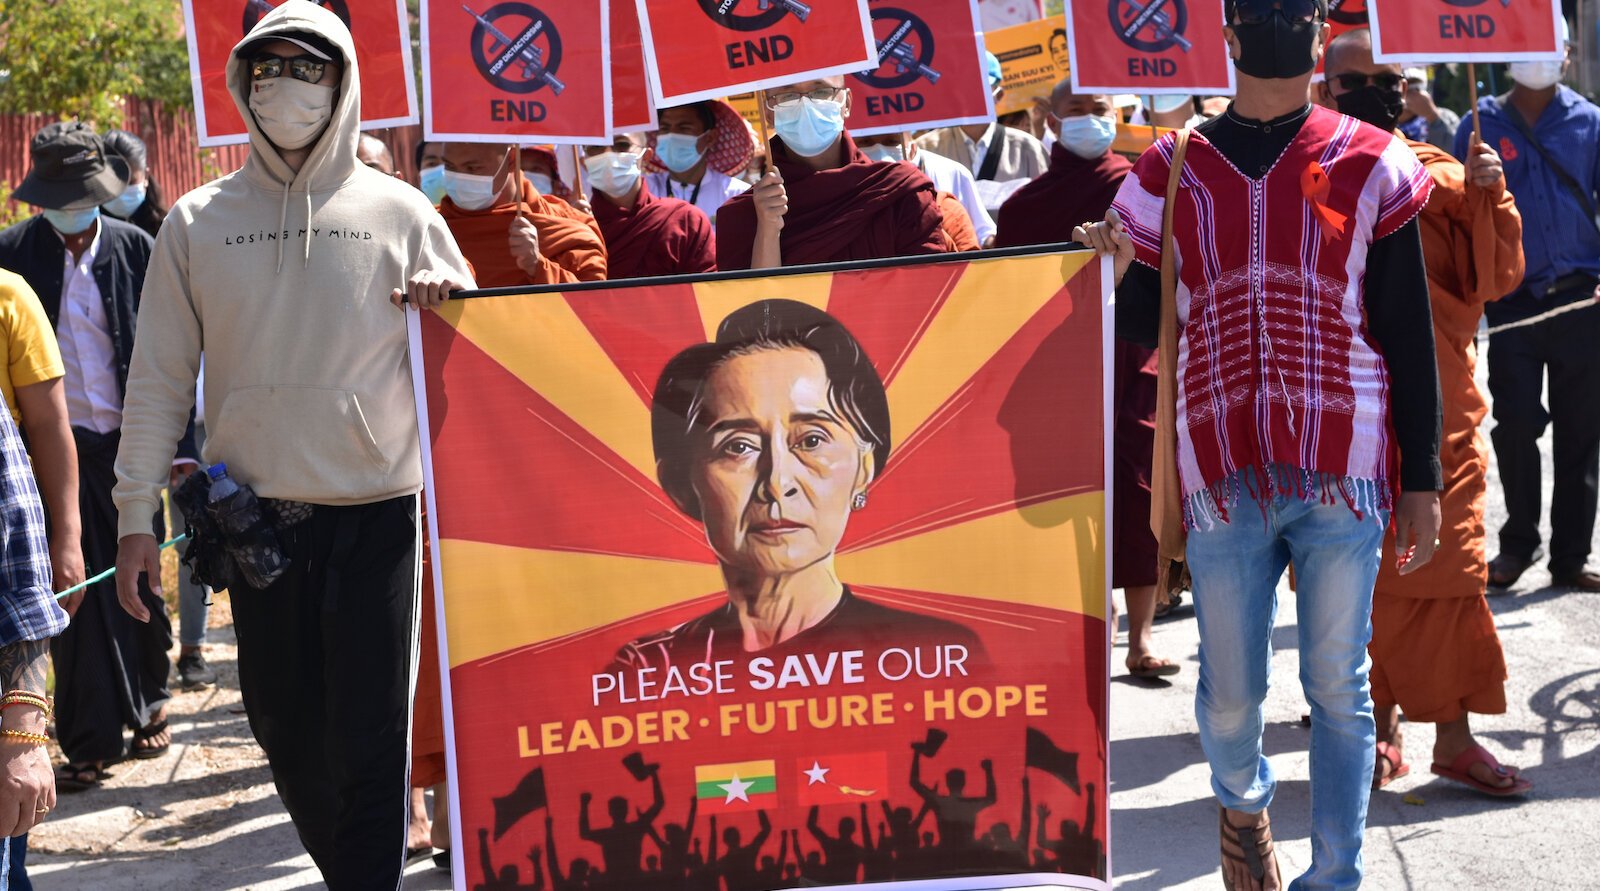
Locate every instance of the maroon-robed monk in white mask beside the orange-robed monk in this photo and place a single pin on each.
(644, 234)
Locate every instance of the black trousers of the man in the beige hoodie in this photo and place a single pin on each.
(326, 665)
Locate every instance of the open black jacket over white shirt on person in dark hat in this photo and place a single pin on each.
(36, 252)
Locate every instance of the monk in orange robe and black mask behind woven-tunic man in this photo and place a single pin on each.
(1436, 653)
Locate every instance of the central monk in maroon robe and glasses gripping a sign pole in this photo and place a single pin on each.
(825, 201)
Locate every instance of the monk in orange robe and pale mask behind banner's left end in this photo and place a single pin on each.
(538, 241)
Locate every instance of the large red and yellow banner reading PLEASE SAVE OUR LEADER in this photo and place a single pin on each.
(804, 569)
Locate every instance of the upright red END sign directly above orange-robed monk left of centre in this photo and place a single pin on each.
(514, 70)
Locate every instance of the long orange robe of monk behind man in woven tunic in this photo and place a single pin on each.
(1434, 647)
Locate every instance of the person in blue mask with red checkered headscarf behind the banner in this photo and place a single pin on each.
(698, 154)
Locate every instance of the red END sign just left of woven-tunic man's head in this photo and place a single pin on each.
(1150, 47)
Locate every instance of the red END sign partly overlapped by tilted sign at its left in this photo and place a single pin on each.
(930, 70)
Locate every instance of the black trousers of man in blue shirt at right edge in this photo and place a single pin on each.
(1567, 353)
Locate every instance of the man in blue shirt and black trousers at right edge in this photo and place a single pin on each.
(1551, 142)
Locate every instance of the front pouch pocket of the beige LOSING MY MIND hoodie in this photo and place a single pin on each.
(310, 444)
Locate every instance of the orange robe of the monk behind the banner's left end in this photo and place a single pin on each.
(570, 242)
